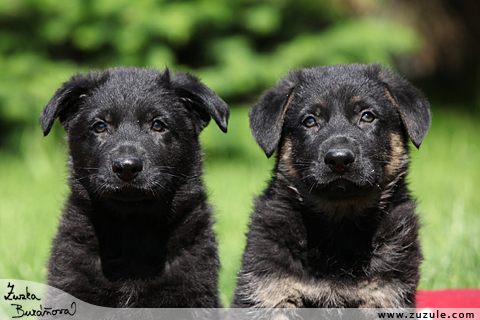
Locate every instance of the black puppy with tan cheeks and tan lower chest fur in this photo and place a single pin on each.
(336, 225)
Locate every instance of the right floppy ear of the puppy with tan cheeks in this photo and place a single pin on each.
(412, 106)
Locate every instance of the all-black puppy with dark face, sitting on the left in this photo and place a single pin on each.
(136, 229)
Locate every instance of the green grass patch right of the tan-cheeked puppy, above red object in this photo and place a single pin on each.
(445, 177)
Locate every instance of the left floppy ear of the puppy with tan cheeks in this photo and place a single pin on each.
(266, 117)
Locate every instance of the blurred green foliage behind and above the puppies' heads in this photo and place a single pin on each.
(238, 47)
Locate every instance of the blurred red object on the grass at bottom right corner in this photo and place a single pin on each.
(448, 298)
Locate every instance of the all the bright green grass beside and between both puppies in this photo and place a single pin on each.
(445, 177)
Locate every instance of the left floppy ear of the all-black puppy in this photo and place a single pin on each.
(66, 100)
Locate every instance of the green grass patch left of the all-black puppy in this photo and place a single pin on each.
(31, 191)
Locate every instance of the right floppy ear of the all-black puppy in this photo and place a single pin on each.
(204, 101)
